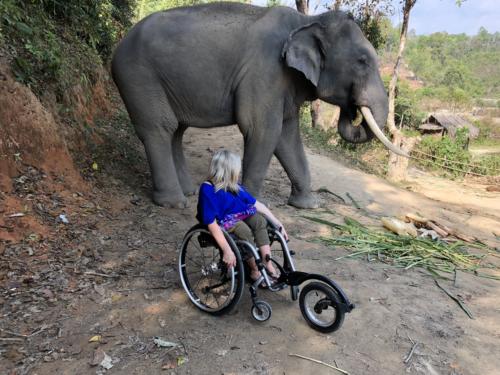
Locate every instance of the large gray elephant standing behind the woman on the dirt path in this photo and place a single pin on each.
(226, 63)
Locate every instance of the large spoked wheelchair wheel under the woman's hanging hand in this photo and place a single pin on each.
(209, 283)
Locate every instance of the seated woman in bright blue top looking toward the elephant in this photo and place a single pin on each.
(224, 203)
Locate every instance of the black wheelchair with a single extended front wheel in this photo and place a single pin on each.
(216, 289)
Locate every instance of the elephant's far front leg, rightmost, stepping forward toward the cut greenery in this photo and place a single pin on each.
(290, 153)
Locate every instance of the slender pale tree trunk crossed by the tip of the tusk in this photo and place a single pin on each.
(398, 165)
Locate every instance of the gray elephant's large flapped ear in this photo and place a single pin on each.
(304, 51)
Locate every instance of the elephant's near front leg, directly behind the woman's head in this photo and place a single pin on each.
(261, 136)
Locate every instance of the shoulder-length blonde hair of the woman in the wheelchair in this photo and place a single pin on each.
(225, 170)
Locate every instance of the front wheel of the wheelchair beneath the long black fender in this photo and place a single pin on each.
(320, 307)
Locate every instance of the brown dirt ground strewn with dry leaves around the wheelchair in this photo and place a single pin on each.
(116, 277)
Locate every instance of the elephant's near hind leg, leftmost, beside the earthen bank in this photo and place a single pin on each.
(155, 124)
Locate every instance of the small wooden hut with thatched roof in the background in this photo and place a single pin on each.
(447, 123)
